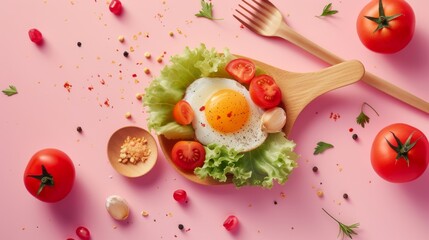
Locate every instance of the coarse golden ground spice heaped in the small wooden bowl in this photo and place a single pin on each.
(134, 150)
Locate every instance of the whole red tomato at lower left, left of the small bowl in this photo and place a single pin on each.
(49, 175)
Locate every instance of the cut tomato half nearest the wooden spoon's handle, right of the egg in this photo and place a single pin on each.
(265, 92)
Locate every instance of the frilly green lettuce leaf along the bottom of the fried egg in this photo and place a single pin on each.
(273, 161)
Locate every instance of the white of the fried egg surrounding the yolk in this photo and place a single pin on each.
(247, 138)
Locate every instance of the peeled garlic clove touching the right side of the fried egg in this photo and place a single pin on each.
(273, 120)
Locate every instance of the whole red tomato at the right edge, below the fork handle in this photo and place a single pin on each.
(400, 153)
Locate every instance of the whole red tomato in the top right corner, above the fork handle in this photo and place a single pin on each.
(386, 32)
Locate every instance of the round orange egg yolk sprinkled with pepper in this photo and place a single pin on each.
(227, 111)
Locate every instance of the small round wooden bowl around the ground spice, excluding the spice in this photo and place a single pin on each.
(114, 146)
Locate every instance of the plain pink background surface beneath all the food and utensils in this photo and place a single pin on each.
(44, 114)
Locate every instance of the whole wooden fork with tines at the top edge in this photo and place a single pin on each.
(263, 18)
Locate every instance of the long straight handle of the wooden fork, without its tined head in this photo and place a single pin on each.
(297, 39)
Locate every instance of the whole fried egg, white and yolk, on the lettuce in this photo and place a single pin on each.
(225, 114)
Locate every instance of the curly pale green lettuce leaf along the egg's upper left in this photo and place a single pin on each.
(170, 86)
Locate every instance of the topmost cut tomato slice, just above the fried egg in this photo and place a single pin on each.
(241, 70)
